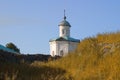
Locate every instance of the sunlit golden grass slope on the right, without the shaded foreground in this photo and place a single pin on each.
(96, 58)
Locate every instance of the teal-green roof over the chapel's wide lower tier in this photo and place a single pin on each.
(65, 39)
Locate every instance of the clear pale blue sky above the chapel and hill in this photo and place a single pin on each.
(31, 23)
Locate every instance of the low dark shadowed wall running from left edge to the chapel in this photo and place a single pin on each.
(21, 58)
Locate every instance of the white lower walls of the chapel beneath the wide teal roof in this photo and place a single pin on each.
(65, 46)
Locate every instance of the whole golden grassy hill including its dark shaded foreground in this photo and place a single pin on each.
(96, 58)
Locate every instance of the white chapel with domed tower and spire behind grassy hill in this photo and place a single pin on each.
(64, 44)
